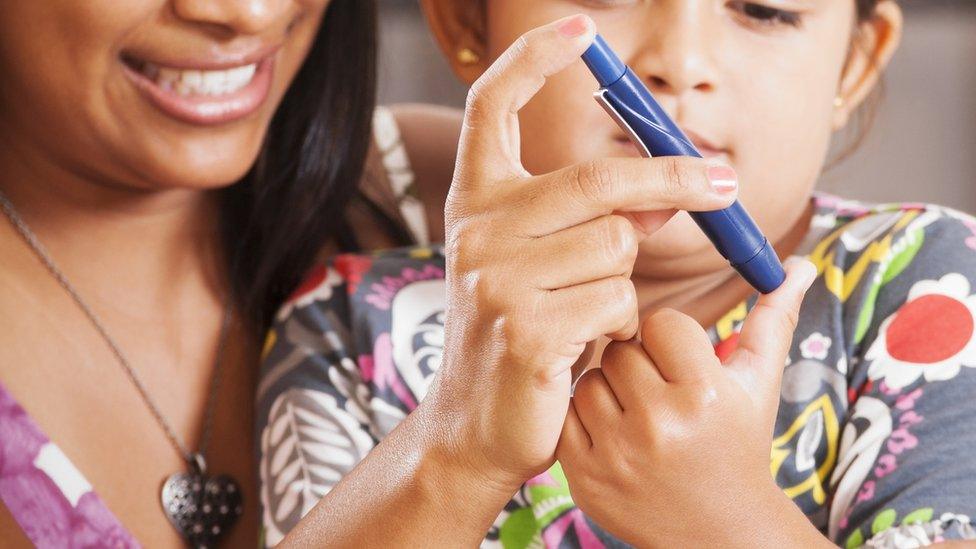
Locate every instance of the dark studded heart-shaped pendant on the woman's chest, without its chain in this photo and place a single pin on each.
(200, 507)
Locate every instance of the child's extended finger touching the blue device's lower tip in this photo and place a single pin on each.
(767, 332)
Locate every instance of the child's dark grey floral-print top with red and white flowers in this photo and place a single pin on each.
(875, 439)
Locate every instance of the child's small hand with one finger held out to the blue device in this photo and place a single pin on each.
(665, 443)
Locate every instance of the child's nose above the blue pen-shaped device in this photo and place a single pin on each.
(676, 57)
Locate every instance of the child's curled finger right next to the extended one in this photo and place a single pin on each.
(678, 346)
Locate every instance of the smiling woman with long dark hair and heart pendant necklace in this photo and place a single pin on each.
(169, 170)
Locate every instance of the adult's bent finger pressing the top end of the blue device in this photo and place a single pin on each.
(490, 129)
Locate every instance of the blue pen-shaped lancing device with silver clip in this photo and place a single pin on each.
(630, 104)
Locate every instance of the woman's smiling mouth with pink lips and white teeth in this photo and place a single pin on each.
(203, 92)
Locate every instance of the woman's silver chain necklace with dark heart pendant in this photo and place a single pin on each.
(201, 508)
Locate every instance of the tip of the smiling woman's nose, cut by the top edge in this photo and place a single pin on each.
(238, 16)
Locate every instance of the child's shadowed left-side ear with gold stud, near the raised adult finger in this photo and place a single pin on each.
(459, 28)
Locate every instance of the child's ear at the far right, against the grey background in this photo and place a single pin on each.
(872, 46)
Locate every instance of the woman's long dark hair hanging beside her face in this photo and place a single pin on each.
(276, 220)
